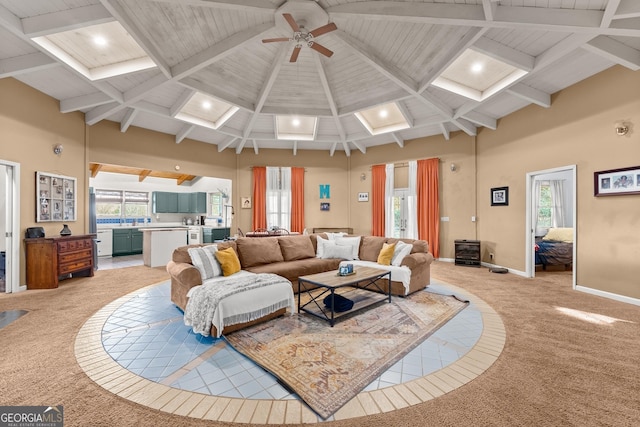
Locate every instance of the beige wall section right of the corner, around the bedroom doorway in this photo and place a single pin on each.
(577, 129)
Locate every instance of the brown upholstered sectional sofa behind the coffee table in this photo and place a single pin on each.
(294, 256)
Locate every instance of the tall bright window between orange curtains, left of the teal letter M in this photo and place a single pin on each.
(279, 197)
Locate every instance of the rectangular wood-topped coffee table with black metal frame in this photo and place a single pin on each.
(361, 287)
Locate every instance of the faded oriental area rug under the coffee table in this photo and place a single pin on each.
(326, 367)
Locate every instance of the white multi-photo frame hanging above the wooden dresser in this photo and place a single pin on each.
(55, 197)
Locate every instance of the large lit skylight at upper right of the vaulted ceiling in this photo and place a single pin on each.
(477, 76)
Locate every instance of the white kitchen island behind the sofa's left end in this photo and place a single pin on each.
(158, 244)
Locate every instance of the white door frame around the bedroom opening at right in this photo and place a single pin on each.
(566, 174)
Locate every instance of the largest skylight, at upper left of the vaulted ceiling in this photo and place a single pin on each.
(98, 51)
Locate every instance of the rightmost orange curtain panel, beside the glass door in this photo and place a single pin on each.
(428, 204)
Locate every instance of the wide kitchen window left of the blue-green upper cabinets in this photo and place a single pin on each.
(119, 203)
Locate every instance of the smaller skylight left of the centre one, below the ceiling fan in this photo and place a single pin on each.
(204, 110)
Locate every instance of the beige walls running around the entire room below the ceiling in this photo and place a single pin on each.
(577, 129)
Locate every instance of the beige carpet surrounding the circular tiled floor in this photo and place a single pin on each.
(555, 370)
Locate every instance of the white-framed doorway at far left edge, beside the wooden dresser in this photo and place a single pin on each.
(9, 226)
